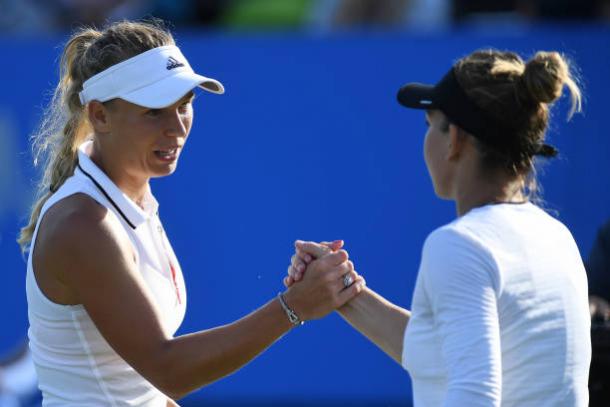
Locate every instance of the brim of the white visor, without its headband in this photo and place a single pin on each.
(171, 89)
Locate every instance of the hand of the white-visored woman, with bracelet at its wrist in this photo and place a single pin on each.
(322, 289)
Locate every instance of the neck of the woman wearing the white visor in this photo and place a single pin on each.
(134, 187)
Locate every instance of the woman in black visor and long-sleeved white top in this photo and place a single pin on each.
(500, 314)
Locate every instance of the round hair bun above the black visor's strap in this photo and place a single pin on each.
(544, 77)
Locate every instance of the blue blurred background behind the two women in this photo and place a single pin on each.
(307, 143)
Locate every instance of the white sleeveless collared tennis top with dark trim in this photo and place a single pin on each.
(74, 363)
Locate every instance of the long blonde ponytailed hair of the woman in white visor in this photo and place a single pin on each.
(64, 125)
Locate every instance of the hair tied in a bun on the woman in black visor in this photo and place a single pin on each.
(517, 94)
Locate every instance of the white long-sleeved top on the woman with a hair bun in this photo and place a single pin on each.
(500, 313)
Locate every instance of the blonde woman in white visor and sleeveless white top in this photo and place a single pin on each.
(105, 290)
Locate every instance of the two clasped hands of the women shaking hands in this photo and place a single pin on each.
(320, 279)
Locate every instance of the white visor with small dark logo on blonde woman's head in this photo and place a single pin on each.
(154, 79)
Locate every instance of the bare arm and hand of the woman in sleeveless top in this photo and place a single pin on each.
(87, 250)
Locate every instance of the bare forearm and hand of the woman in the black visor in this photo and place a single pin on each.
(381, 321)
